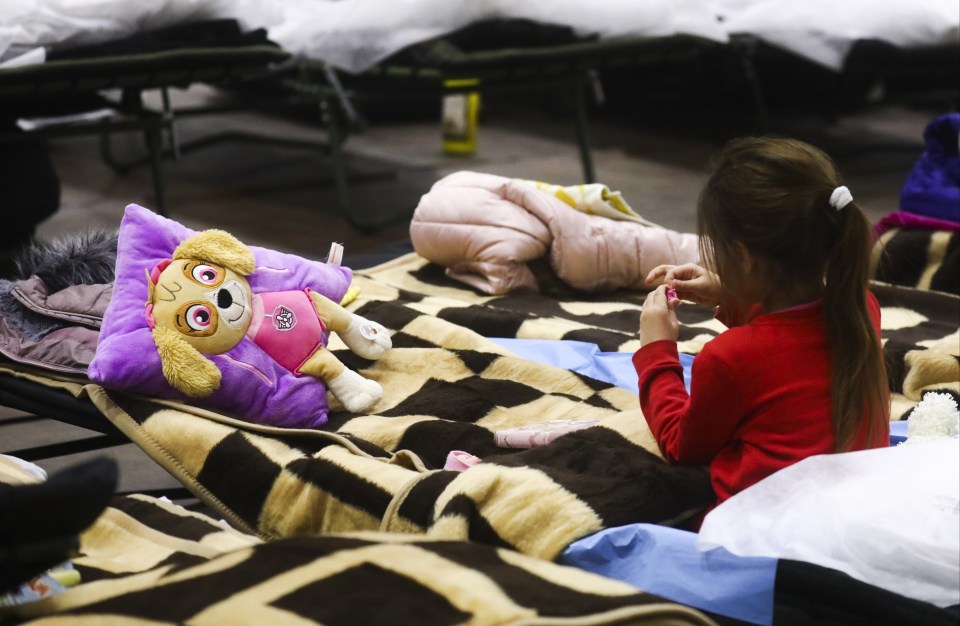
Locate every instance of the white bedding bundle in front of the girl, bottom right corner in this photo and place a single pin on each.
(888, 517)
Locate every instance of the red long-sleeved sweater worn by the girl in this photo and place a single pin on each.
(759, 398)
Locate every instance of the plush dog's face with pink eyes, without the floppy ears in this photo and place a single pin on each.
(208, 304)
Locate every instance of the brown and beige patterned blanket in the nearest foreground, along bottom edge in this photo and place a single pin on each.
(148, 561)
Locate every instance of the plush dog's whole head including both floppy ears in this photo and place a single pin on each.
(199, 302)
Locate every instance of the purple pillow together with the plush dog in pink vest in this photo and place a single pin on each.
(202, 318)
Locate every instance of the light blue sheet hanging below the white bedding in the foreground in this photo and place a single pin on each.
(665, 562)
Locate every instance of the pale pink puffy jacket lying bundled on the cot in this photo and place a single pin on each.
(485, 229)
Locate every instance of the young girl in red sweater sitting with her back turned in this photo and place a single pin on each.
(799, 371)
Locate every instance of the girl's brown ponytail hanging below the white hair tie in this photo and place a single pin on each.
(857, 371)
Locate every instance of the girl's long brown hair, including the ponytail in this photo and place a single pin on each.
(772, 196)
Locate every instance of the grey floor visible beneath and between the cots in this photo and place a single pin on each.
(282, 198)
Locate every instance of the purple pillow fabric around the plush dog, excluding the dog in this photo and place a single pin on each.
(254, 386)
